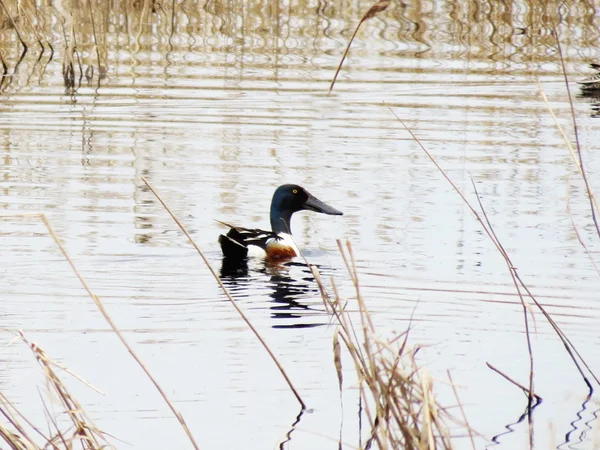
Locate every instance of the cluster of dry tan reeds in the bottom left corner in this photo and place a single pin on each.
(69, 429)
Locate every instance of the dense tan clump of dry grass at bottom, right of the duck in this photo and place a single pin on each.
(397, 396)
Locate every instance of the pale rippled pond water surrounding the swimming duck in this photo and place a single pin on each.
(230, 105)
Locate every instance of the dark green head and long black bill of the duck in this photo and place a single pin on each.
(290, 198)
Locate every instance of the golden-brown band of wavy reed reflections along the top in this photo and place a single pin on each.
(89, 38)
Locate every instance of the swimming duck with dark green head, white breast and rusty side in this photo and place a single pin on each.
(276, 245)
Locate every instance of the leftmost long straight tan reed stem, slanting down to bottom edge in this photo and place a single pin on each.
(114, 327)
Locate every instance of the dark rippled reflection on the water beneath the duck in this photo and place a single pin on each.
(292, 288)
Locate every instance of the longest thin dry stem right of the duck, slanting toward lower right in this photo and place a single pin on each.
(569, 347)
